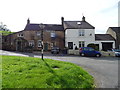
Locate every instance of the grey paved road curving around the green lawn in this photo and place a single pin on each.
(103, 69)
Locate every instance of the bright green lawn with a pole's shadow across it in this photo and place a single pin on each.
(28, 72)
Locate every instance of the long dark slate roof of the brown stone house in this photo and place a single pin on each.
(47, 27)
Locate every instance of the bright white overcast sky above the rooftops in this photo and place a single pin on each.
(99, 13)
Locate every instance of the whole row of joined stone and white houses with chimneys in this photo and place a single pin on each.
(68, 34)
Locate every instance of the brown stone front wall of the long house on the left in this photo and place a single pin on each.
(32, 35)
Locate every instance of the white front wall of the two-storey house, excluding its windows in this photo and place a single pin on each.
(72, 35)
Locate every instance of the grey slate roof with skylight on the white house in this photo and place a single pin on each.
(75, 25)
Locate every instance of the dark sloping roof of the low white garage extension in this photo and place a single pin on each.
(103, 37)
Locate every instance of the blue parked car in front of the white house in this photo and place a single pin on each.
(88, 51)
